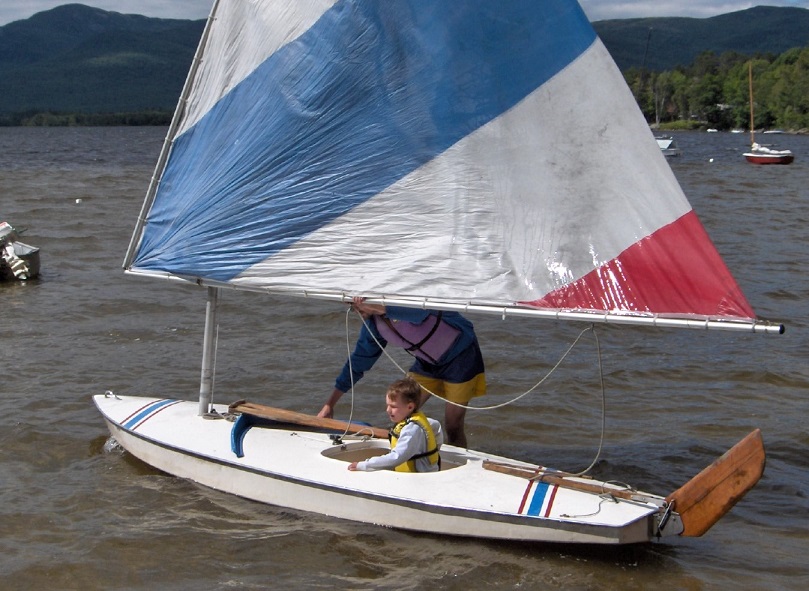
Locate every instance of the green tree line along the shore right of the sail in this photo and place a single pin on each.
(714, 92)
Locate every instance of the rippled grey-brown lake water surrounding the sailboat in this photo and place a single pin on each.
(74, 516)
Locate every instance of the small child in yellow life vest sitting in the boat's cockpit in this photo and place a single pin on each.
(414, 440)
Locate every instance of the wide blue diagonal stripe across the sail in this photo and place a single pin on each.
(373, 91)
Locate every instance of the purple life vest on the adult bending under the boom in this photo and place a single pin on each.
(428, 341)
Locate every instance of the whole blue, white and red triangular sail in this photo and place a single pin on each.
(462, 151)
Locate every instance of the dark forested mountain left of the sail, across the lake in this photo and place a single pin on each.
(87, 61)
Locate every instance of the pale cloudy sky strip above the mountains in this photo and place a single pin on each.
(12, 10)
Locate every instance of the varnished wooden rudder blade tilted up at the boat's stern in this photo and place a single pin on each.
(704, 499)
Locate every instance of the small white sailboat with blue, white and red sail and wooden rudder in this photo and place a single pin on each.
(420, 154)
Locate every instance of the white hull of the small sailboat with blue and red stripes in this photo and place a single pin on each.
(290, 466)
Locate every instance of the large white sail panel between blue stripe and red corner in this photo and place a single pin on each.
(500, 216)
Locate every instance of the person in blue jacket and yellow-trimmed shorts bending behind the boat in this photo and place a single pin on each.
(447, 358)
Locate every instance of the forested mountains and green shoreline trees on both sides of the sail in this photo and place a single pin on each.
(76, 65)
